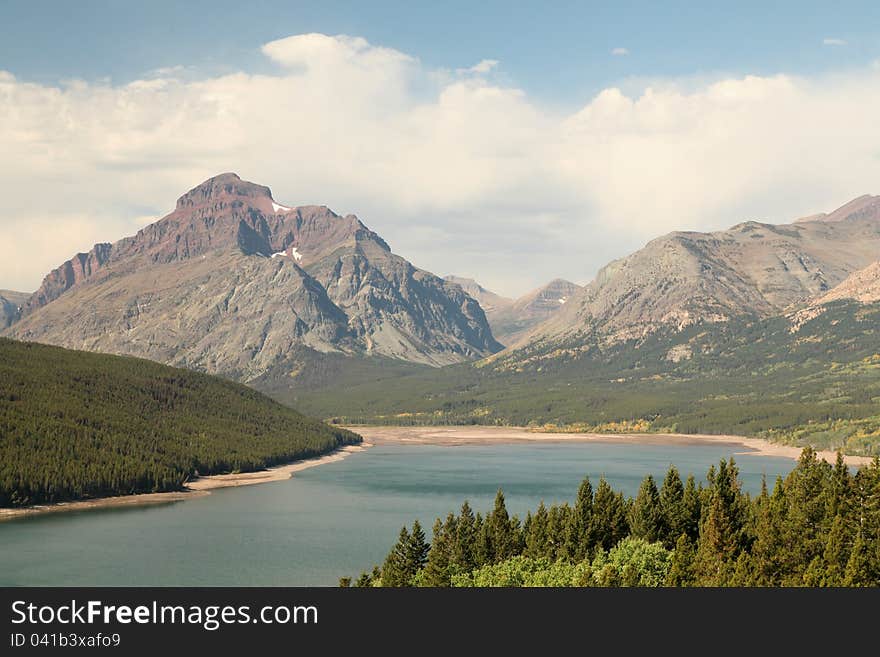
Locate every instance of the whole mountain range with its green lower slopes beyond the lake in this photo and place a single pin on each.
(752, 329)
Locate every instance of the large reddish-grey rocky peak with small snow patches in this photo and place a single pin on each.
(231, 282)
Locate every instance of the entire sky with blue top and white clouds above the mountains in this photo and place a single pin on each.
(510, 142)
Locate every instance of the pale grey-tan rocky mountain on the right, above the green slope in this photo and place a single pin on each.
(684, 278)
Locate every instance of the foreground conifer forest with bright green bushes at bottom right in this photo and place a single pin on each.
(818, 527)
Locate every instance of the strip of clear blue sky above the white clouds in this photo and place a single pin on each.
(560, 51)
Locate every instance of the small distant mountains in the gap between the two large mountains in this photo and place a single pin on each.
(511, 319)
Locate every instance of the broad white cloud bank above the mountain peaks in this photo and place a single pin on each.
(459, 173)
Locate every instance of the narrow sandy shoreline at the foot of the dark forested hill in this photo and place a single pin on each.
(196, 488)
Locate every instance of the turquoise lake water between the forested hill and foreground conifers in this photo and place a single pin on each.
(329, 521)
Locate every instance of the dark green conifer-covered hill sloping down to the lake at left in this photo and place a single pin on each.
(78, 425)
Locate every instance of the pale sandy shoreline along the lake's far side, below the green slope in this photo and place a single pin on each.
(479, 435)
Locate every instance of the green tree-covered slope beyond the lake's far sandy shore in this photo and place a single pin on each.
(818, 386)
